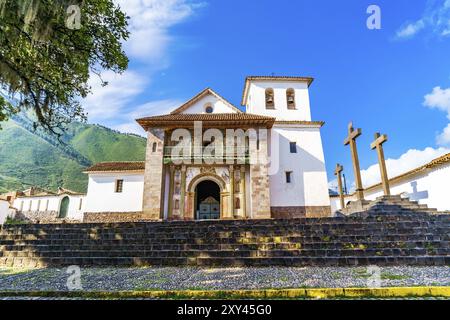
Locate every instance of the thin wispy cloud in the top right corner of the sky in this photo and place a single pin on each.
(436, 19)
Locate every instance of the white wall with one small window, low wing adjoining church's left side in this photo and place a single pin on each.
(101, 195)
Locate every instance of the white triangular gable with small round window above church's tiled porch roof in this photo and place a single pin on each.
(207, 97)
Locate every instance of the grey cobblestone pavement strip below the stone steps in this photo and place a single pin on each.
(172, 278)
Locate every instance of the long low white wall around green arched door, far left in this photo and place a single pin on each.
(52, 203)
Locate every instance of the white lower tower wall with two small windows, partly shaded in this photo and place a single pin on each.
(309, 186)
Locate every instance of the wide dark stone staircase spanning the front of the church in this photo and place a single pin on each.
(409, 238)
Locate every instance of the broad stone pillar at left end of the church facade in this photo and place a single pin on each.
(153, 175)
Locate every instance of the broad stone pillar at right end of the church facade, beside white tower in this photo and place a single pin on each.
(259, 176)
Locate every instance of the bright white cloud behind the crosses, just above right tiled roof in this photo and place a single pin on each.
(409, 160)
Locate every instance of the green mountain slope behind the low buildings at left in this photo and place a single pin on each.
(29, 157)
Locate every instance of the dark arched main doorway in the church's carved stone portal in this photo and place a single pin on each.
(207, 200)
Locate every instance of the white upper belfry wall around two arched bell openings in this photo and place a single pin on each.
(256, 101)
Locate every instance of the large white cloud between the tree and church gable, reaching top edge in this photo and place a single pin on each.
(149, 25)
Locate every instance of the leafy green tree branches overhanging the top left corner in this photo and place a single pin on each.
(48, 51)
